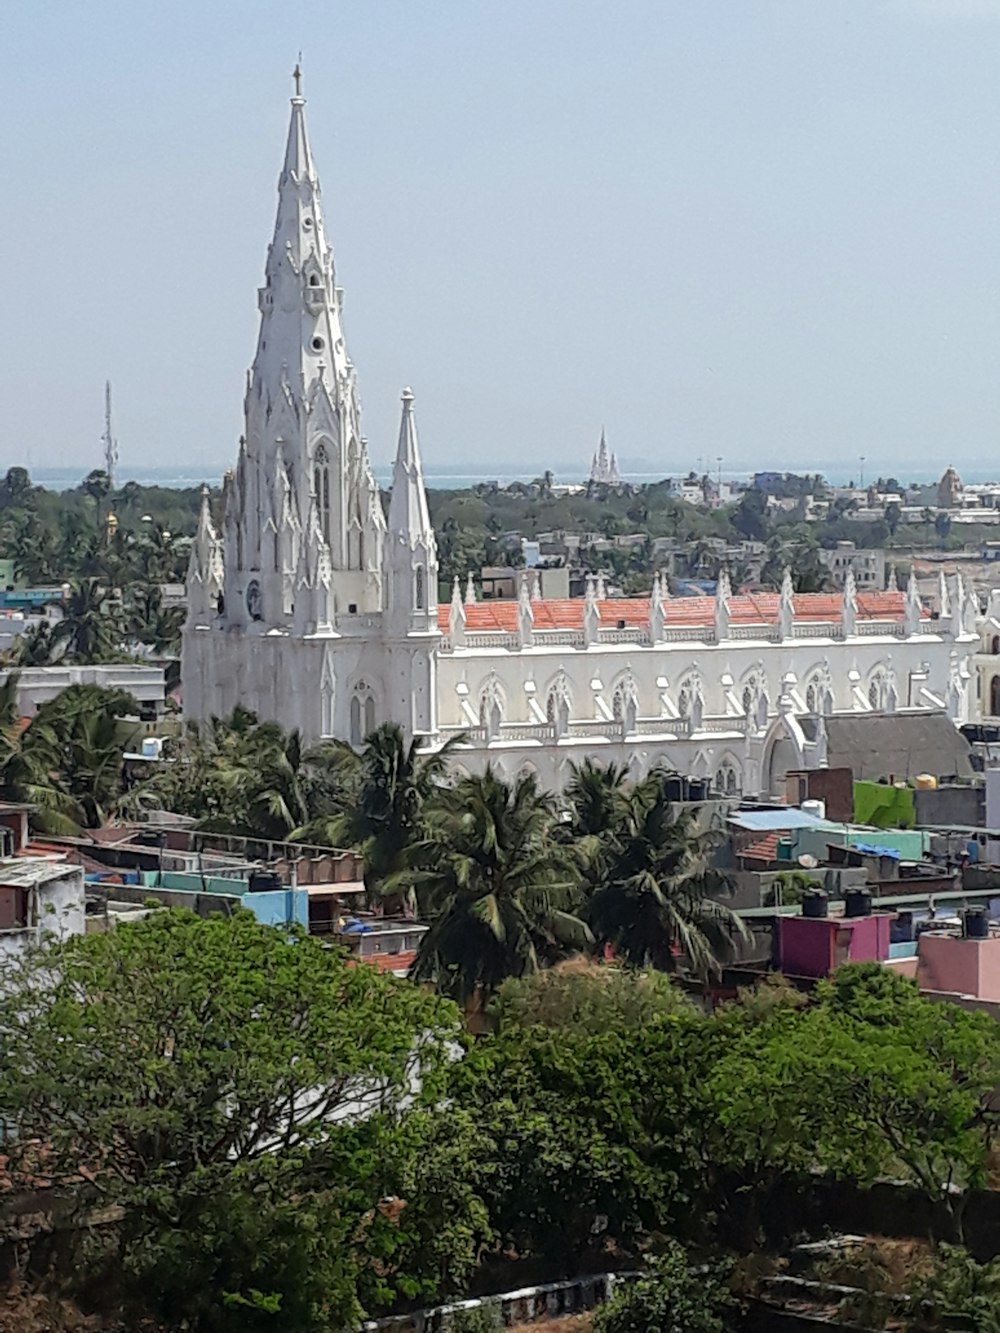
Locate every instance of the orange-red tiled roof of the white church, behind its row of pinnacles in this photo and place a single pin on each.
(759, 609)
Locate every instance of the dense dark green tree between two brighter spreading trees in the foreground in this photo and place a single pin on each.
(583, 1148)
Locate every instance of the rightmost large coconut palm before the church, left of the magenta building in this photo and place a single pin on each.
(659, 903)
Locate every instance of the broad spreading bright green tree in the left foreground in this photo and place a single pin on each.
(254, 1107)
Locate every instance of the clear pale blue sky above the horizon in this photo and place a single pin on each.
(767, 230)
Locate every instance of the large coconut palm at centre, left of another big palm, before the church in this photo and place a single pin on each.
(501, 891)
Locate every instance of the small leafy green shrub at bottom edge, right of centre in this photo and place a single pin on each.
(669, 1299)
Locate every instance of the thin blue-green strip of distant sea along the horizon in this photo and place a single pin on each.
(194, 475)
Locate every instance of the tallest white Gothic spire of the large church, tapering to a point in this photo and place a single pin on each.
(303, 441)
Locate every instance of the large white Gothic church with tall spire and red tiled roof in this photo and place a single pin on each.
(318, 611)
